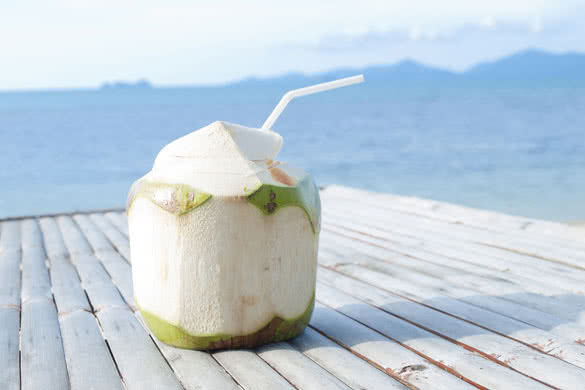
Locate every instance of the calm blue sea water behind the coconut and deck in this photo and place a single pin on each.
(517, 150)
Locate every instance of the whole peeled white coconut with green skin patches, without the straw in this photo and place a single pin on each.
(224, 241)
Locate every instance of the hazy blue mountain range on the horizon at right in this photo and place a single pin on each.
(531, 66)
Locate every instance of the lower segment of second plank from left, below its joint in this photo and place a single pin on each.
(43, 359)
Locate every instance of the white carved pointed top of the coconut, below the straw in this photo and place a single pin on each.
(224, 159)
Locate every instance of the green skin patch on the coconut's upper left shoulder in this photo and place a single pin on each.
(178, 199)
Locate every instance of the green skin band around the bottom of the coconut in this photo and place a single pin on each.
(275, 330)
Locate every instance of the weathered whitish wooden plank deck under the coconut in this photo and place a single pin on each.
(411, 294)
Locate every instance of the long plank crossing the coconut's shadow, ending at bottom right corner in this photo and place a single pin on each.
(503, 350)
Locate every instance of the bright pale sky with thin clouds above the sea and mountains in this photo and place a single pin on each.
(82, 43)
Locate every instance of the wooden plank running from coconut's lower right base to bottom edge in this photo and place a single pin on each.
(355, 372)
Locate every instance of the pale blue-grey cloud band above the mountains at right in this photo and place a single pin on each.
(456, 47)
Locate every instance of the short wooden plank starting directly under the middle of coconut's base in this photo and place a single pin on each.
(250, 371)
